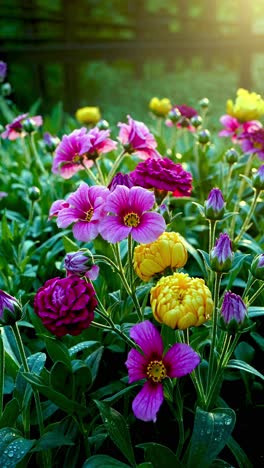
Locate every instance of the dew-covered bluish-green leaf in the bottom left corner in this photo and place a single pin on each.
(13, 447)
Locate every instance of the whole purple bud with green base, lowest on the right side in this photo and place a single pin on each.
(233, 313)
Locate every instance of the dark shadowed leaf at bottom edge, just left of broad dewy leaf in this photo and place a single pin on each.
(160, 456)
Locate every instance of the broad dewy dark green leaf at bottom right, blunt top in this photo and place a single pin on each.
(210, 434)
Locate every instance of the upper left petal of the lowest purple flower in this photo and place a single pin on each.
(146, 335)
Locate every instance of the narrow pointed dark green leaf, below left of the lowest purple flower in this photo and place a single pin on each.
(117, 429)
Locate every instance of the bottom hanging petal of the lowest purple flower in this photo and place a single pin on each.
(148, 402)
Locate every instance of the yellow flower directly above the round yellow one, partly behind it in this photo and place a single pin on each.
(168, 251)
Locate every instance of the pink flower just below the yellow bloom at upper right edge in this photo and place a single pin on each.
(233, 128)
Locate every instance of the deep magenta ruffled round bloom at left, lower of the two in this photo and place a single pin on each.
(65, 305)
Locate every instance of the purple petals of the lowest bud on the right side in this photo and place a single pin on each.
(233, 308)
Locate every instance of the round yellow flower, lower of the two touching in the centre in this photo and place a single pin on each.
(180, 301)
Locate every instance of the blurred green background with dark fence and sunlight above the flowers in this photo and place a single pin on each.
(117, 54)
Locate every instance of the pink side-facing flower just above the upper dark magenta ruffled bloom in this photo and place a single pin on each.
(136, 138)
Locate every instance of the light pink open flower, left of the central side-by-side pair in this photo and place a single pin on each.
(86, 207)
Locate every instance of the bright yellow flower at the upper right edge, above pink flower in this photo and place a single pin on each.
(247, 106)
